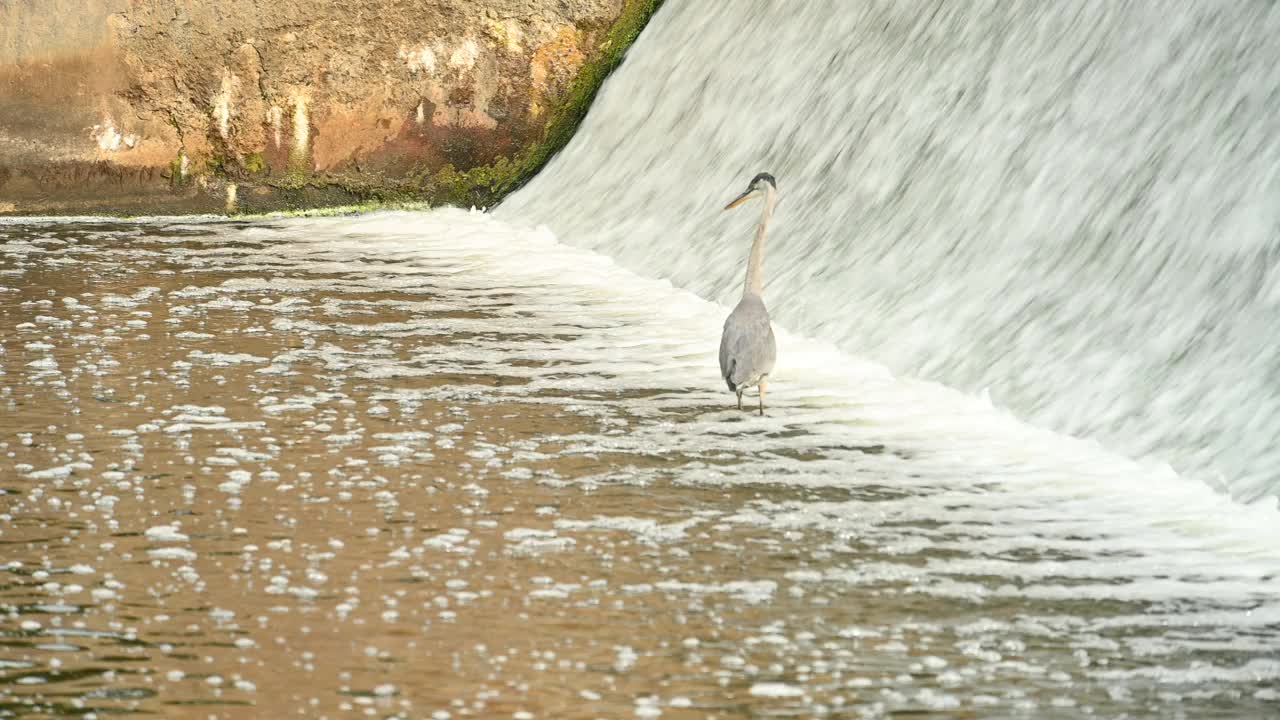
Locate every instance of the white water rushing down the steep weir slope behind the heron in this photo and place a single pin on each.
(1073, 207)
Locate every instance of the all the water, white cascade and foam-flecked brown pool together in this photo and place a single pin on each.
(459, 466)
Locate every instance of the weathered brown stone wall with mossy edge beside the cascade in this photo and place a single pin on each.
(198, 106)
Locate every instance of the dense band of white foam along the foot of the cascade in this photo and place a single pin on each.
(664, 339)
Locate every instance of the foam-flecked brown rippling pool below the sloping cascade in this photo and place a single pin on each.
(440, 466)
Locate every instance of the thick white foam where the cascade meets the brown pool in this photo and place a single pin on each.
(619, 332)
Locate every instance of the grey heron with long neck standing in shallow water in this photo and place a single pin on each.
(748, 350)
